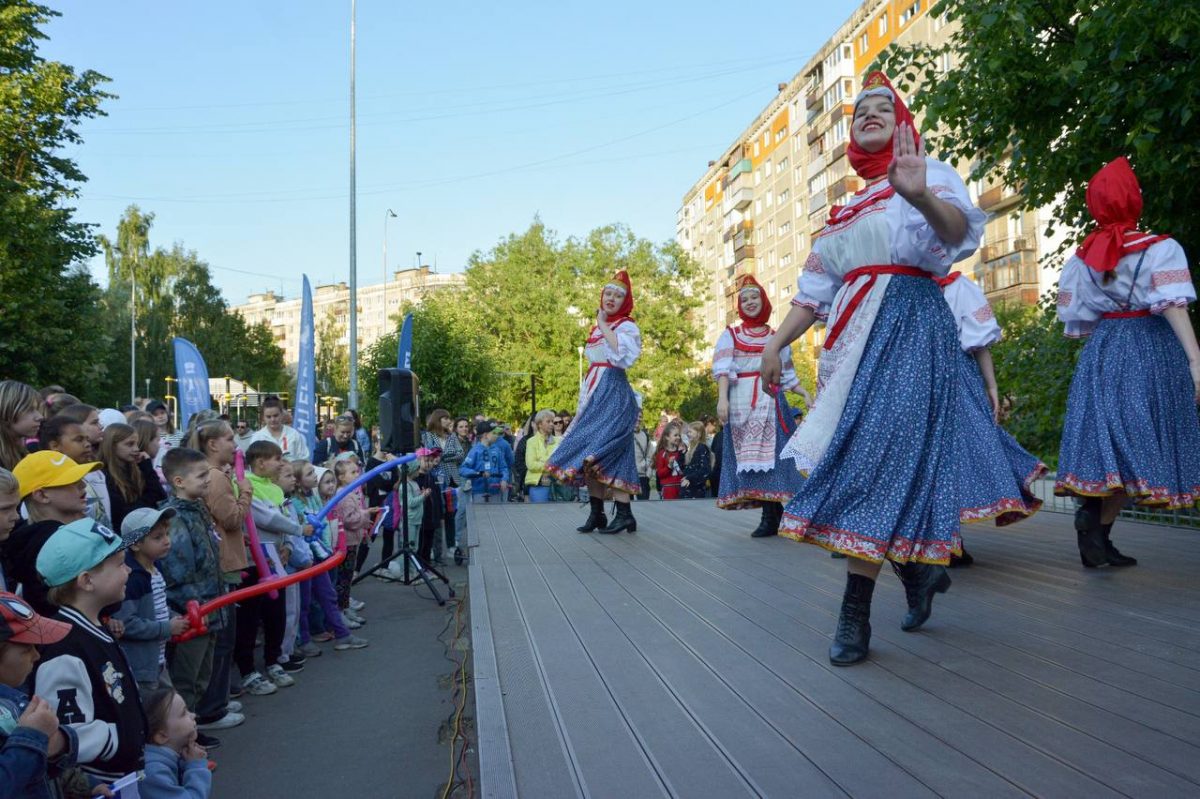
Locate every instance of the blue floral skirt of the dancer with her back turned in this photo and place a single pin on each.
(1132, 425)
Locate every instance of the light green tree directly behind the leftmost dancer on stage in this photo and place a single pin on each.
(537, 298)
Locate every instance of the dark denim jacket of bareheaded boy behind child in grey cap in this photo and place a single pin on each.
(193, 568)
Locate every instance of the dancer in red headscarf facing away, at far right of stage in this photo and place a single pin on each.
(1131, 429)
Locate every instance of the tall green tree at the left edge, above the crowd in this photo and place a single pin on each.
(50, 303)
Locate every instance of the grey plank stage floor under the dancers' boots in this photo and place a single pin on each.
(689, 660)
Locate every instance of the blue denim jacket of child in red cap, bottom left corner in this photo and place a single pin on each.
(25, 771)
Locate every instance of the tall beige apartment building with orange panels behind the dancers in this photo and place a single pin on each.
(759, 205)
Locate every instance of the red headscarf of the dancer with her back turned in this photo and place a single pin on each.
(1114, 200)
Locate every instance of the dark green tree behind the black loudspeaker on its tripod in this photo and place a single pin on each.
(455, 367)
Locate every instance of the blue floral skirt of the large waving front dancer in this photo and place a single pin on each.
(887, 486)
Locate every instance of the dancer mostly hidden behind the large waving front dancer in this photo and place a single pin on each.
(997, 473)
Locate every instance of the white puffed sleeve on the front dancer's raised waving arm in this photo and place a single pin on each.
(914, 241)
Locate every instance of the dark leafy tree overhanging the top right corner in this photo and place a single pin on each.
(1047, 92)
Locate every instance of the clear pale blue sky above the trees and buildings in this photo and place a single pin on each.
(232, 122)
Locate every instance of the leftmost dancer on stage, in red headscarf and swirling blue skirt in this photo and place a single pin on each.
(598, 448)
